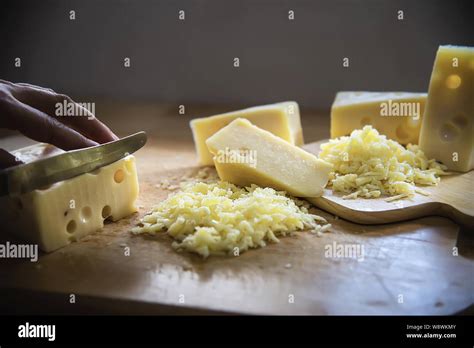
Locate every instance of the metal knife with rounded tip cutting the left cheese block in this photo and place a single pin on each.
(47, 171)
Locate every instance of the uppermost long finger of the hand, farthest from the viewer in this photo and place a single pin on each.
(49, 102)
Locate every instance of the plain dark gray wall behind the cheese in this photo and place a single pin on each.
(192, 61)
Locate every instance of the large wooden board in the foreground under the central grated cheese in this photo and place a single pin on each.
(407, 267)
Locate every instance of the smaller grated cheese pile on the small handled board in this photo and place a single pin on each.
(369, 165)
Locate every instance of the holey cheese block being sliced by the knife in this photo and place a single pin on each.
(66, 211)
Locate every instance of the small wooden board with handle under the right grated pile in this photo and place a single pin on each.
(453, 198)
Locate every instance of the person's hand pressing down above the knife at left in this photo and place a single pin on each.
(30, 110)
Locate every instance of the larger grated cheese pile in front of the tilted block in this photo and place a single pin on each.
(217, 218)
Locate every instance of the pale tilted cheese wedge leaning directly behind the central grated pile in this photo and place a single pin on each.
(245, 154)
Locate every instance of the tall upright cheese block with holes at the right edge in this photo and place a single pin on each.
(447, 133)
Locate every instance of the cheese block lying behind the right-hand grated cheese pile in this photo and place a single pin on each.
(397, 115)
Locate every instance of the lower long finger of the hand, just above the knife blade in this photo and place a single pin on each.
(38, 126)
